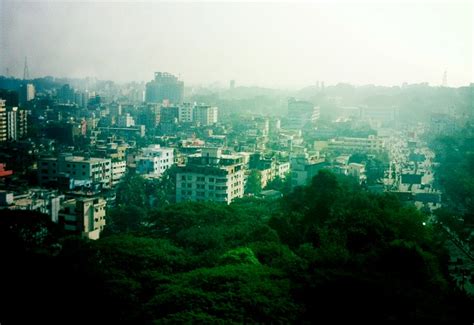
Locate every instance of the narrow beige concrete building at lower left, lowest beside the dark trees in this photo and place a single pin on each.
(85, 216)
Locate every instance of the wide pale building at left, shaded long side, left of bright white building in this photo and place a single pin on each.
(80, 169)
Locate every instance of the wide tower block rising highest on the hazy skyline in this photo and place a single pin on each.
(165, 86)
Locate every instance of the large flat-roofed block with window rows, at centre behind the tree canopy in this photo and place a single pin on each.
(210, 176)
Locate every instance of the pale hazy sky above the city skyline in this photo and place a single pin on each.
(266, 44)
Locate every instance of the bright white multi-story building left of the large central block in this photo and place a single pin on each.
(154, 160)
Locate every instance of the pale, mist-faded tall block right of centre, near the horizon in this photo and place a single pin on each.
(301, 114)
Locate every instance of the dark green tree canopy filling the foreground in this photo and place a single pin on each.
(326, 252)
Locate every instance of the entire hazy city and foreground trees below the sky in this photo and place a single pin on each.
(164, 201)
